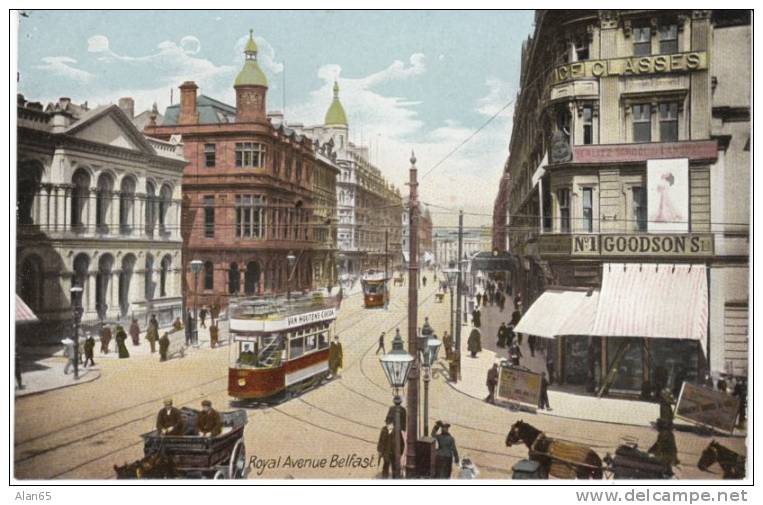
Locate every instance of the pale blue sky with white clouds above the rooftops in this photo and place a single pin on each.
(409, 80)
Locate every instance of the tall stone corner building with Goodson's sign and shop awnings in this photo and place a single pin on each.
(628, 194)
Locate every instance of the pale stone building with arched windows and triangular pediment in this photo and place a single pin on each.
(98, 206)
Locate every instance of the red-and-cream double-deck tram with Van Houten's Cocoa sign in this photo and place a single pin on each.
(279, 346)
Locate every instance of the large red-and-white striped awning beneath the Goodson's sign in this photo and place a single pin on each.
(653, 301)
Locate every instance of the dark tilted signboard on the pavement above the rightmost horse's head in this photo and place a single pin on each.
(708, 407)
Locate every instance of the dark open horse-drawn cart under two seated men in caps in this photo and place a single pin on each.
(192, 456)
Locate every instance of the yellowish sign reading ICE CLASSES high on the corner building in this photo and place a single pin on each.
(636, 65)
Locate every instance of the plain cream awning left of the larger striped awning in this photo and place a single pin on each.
(559, 312)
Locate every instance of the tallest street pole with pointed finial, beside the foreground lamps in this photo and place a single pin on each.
(412, 428)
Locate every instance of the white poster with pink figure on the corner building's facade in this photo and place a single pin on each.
(668, 195)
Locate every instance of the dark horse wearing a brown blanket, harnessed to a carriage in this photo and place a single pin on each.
(558, 457)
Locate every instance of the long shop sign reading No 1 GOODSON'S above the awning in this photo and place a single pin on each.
(688, 244)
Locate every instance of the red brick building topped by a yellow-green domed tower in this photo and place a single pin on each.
(247, 191)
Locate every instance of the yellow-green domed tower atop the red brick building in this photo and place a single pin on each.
(251, 88)
